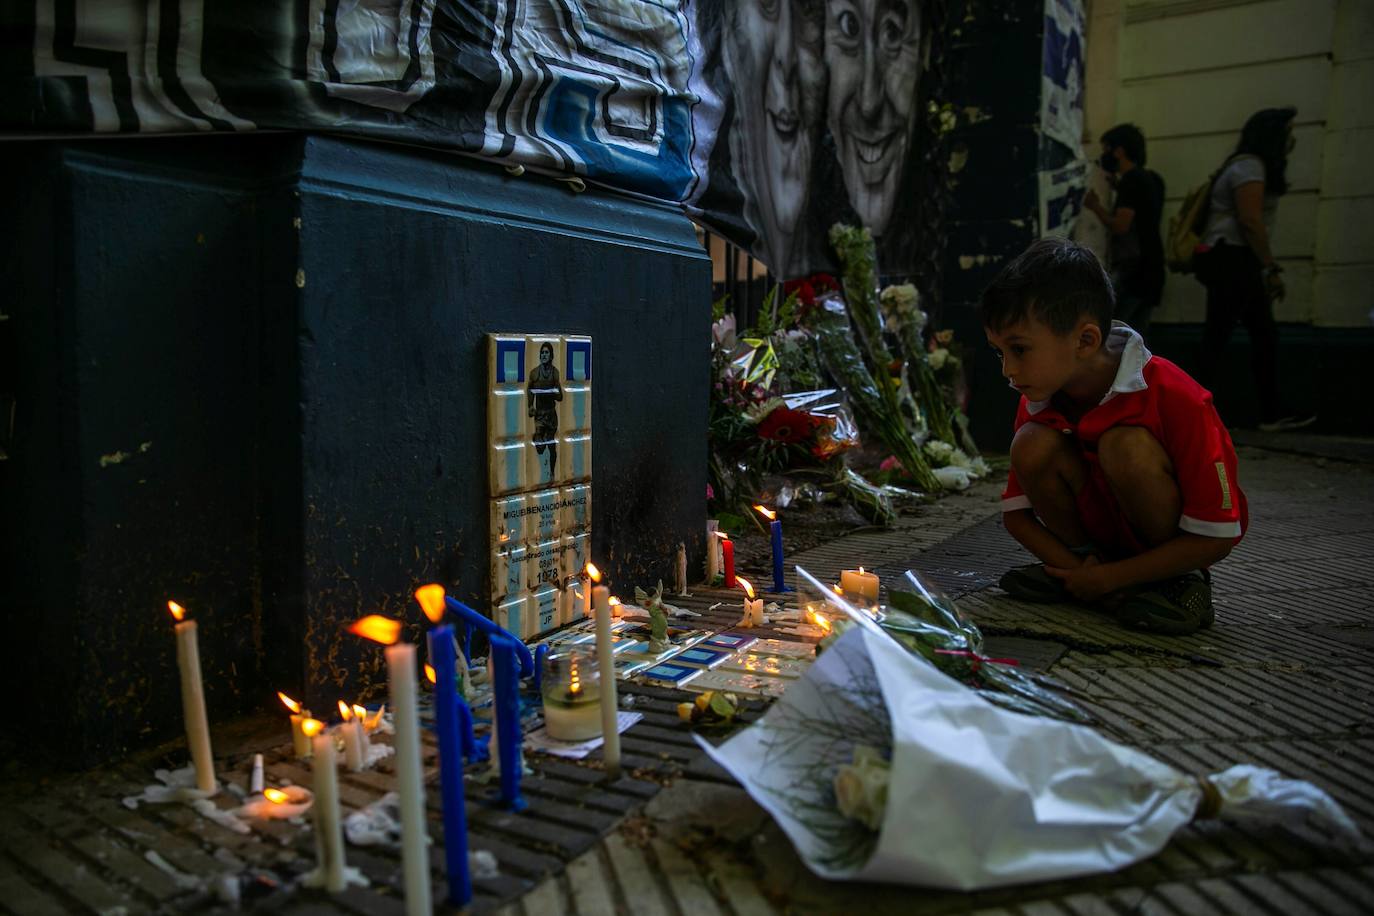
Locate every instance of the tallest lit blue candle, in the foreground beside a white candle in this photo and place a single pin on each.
(451, 751)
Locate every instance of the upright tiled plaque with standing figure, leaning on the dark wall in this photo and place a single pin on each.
(541, 470)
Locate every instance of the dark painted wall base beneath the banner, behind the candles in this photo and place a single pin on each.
(284, 458)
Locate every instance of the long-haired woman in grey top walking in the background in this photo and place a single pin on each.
(1237, 264)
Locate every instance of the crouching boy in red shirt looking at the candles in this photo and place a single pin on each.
(1123, 477)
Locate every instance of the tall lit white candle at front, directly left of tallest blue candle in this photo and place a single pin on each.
(401, 663)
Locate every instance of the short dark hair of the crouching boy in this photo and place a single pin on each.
(1055, 281)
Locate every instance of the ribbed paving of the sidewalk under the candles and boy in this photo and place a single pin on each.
(1283, 680)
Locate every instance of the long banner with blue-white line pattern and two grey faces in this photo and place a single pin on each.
(766, 122)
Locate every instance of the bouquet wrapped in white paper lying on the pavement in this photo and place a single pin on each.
(881, 767)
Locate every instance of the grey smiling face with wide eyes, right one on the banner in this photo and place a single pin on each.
(873, 53)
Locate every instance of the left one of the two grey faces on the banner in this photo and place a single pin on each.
(773, 58)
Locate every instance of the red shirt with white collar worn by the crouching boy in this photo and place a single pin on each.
(1158, 396)
